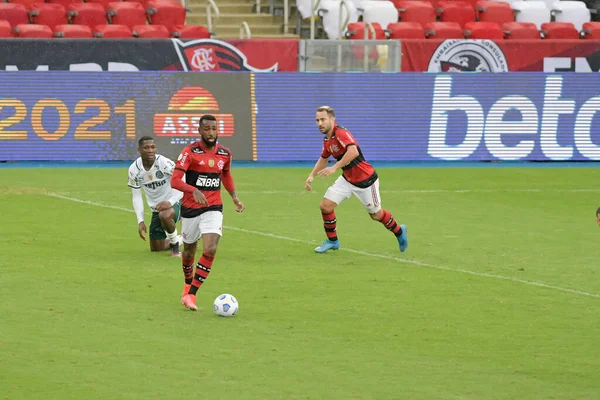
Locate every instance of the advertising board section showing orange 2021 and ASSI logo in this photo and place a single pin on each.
(89, 116)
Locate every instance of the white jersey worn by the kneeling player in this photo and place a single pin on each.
(156, 182)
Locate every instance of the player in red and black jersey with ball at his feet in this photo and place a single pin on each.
(205, 164)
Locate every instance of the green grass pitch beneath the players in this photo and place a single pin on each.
(497, 297)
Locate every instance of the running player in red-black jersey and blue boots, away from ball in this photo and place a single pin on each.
(358, 178)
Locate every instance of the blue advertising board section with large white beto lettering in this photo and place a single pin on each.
(414, 116)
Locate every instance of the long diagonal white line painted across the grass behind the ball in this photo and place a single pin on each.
(363, 253)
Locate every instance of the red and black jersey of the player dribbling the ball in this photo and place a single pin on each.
(203, 170)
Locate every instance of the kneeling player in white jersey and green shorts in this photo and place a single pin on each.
(153, 172)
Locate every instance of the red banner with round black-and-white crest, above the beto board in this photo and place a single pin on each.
(460, 55)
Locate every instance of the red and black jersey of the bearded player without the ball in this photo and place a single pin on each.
(358, 171)
